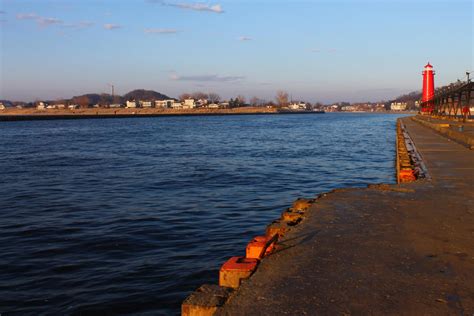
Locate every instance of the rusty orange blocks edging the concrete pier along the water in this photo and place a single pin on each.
(210, 299)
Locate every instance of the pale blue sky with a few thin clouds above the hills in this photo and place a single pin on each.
(326, 51)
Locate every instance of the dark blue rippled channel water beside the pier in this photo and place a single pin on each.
(130, 215)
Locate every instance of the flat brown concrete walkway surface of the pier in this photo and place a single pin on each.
(388, 249)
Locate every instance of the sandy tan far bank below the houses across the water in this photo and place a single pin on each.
(108, 113)
